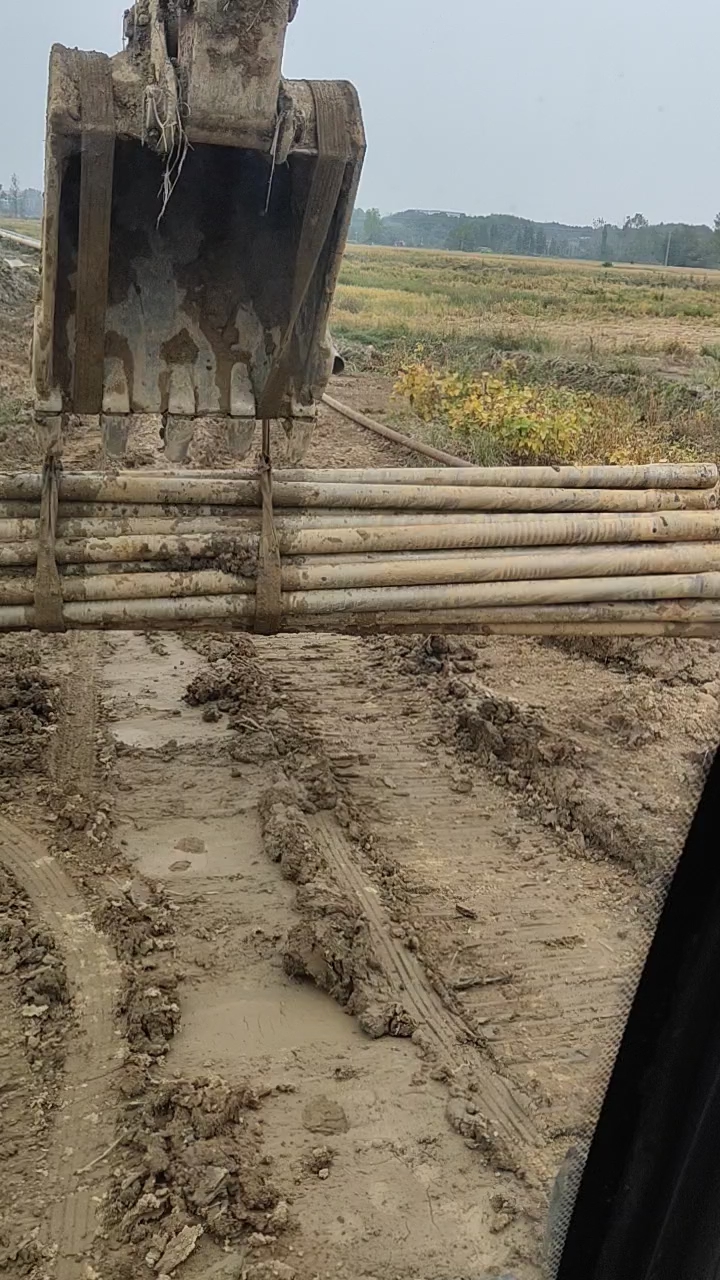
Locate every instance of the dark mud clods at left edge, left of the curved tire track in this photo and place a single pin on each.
(30, 959)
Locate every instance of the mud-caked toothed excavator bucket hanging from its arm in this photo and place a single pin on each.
(198, 208)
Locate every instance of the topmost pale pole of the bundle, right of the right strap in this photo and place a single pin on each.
(649, 477)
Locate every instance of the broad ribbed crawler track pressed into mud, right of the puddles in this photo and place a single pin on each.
(555, 936)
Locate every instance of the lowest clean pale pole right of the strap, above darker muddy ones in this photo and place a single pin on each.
(668, 587)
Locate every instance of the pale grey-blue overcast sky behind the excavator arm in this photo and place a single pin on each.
(552, 111)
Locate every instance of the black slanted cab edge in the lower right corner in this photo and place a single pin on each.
(648, 1206)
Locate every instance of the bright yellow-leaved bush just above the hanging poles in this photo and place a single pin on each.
(498, 418)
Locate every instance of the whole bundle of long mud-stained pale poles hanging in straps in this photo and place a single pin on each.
(513, 550)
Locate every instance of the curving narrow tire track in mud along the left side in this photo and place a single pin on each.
(85, 1118)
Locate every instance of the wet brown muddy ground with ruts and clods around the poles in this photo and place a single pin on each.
(315, 948)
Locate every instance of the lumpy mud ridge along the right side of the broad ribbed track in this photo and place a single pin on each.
(559, 769)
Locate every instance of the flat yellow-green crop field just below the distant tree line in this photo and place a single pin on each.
(540, 304)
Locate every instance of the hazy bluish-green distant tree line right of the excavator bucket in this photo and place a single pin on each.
(635, 241)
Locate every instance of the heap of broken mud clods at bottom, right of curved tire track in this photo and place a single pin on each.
(194, 1163)
